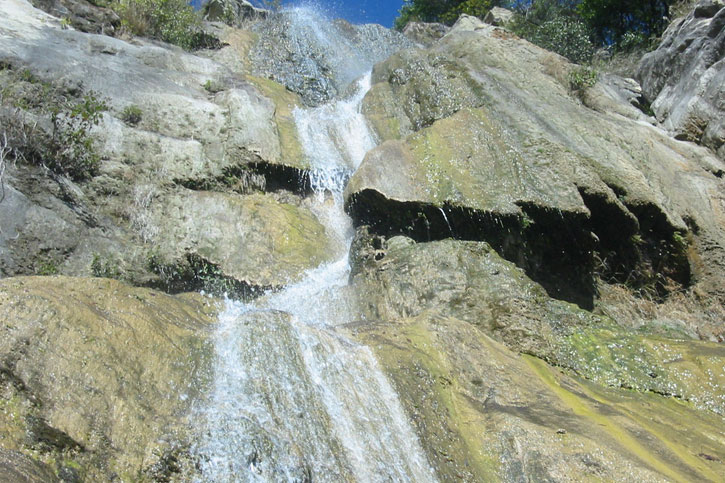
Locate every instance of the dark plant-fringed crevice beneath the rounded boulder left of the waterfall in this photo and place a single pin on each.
(194, 273)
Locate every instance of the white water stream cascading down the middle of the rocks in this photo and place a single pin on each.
(293, 399)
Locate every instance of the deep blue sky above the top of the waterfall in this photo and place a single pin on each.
(383, 12)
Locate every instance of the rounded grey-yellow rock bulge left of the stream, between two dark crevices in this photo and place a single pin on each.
(254, 239)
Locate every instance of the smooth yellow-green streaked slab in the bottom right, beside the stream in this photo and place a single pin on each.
(484, 413)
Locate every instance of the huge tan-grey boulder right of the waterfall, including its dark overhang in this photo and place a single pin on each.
(489, 143)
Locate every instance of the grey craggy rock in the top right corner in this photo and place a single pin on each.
(684, 78)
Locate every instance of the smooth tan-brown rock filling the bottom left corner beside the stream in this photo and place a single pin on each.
(98, 378)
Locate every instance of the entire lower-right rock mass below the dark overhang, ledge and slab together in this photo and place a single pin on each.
(446, 320)
